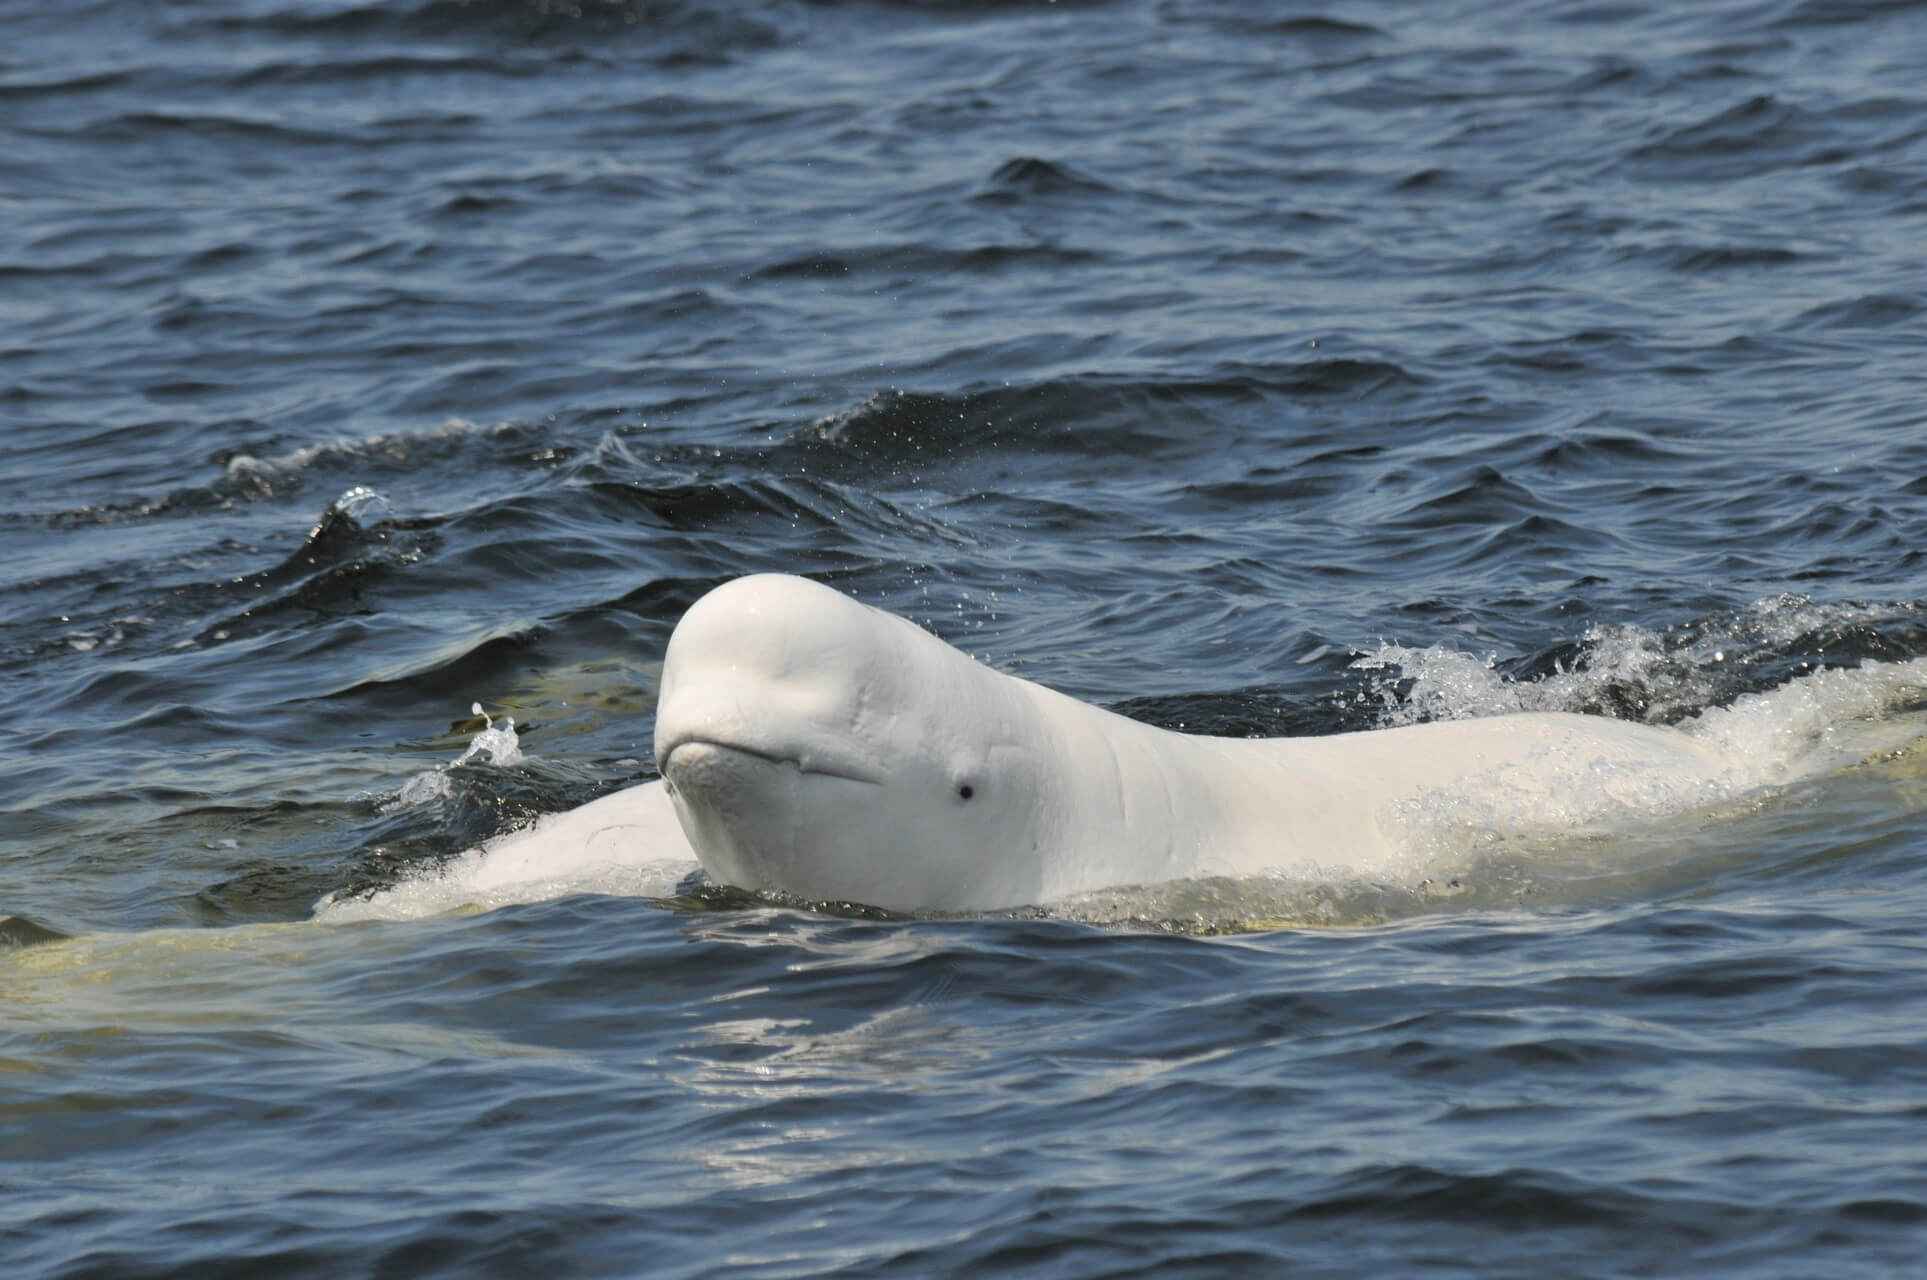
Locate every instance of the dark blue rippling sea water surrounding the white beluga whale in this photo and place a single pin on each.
(361, 363)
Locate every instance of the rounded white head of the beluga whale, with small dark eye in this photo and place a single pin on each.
(830, 751)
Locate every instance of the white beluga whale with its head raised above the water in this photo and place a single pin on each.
(816, 747)
